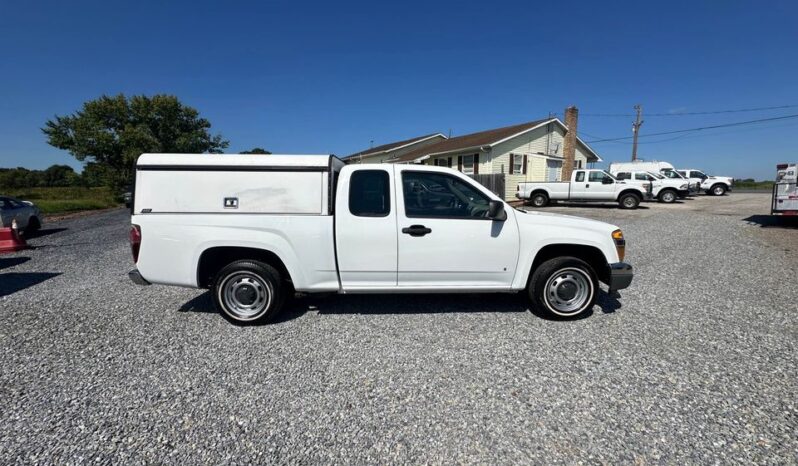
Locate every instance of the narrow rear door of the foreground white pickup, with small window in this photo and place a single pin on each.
(365, 228)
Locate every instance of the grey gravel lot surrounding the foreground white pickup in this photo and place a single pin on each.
(696, 363)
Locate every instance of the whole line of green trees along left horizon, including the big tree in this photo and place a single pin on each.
(109, 133)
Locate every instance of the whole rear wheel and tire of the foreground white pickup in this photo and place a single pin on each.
(248, 291)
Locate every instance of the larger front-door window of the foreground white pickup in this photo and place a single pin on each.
(429, 194)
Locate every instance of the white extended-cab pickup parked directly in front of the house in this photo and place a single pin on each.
(585, 186)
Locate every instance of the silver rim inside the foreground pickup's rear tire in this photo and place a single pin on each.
(245, 296)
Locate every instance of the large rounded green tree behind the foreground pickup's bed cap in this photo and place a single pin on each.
(114, 131)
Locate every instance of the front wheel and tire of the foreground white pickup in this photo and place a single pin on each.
(561, 278)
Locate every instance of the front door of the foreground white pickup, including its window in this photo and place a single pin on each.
(445, 239)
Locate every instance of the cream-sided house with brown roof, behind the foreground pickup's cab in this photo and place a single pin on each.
(533, 151)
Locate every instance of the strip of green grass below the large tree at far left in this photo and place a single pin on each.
(63, 200)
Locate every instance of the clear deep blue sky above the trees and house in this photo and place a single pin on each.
(330, 77)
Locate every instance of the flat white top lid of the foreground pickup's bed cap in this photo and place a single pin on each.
(243, 160)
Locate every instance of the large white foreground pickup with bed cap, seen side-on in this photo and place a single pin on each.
(255, 229)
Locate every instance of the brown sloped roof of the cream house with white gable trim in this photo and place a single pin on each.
(482, 139)
